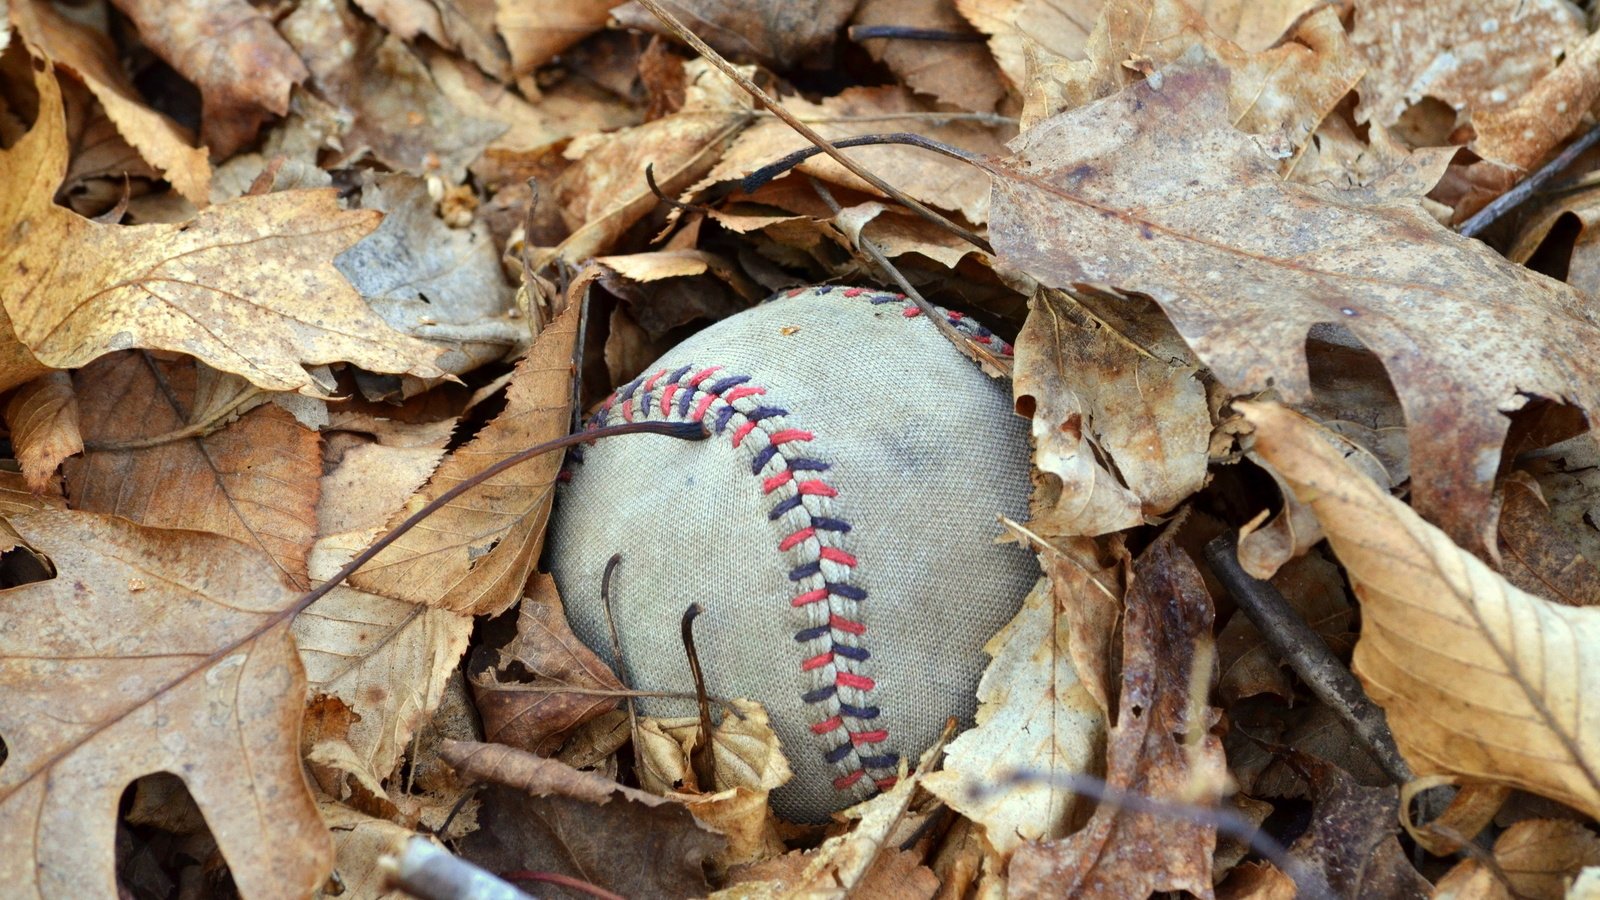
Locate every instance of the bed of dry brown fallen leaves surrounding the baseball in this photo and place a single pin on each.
(278, 276)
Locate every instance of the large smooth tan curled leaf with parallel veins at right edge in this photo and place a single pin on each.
(1503, 705)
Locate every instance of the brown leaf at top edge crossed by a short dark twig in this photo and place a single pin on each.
(959, 74)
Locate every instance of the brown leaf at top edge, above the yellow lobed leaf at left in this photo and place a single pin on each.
(233, 54)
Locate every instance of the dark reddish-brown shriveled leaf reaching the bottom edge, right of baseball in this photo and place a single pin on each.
(1158, 750)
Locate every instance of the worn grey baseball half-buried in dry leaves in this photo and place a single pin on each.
(839, 529)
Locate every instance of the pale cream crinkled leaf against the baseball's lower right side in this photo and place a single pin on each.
(1034, 717)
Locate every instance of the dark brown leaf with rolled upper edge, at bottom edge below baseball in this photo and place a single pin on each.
(545, 816)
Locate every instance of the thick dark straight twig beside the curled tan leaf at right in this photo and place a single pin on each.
(1303, 649)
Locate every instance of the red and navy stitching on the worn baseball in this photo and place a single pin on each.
(812, 537)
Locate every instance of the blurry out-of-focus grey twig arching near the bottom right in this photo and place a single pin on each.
(1226, 822)
